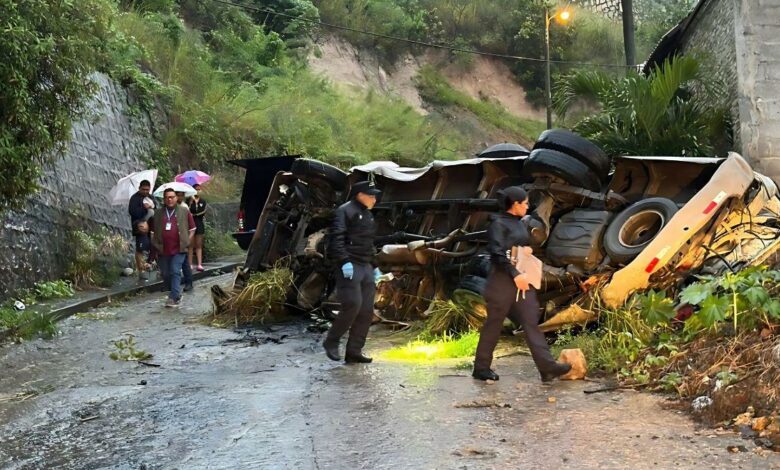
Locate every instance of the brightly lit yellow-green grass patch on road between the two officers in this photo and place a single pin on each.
(424, 350)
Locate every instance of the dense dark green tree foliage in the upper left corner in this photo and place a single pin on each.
(48, 48)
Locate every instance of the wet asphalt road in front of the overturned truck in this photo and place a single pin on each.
(210, 404)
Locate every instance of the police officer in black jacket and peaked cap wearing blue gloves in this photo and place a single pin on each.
(352, 247)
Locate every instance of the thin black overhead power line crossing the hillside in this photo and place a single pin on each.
(448, 47)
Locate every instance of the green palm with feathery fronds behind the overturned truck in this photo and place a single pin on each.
(667, 112)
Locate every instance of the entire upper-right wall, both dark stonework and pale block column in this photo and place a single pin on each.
(740, 40)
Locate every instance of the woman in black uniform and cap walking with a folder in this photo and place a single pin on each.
(506, 231)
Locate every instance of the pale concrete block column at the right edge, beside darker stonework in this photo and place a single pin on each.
(757, 38)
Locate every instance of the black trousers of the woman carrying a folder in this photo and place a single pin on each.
(501, 295)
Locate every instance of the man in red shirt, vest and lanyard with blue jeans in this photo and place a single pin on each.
(174, 229)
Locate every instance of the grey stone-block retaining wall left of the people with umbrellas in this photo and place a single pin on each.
(105, 147)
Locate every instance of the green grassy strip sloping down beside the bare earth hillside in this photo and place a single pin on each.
(435, 88)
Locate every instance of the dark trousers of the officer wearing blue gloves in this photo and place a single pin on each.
(356, 297)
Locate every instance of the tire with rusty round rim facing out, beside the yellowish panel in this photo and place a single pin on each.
(634, 228)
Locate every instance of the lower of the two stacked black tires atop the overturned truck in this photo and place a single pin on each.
(551, 162)
